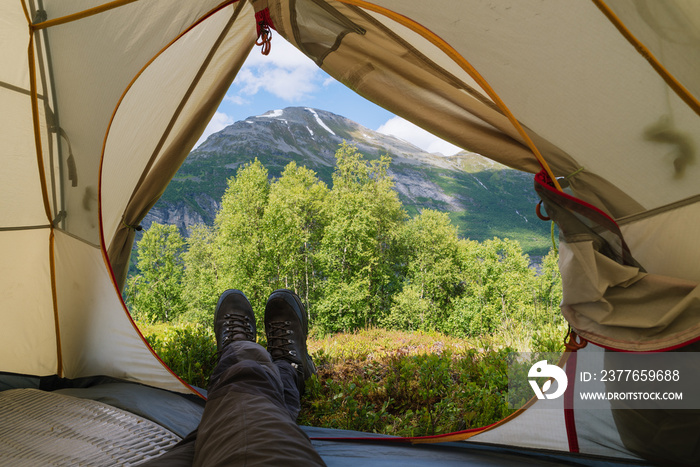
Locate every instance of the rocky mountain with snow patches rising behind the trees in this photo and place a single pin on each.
(484, 199)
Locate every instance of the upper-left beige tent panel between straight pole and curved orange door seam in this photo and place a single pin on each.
(114, 46)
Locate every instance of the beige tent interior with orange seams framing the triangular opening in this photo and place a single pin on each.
(102, 100)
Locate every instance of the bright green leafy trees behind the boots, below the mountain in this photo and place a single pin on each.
(350, 251)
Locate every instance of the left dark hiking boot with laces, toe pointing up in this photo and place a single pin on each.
(234, 319)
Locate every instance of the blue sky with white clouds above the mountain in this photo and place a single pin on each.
(287, 78)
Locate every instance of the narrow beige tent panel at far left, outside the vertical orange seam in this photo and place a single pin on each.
(27, 335)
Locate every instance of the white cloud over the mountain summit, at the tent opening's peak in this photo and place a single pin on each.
(286, 73)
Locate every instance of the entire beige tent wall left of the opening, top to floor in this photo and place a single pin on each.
(83, 67)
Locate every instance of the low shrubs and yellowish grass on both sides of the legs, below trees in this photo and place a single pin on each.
(382, 381)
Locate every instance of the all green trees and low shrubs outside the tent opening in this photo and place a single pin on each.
(365, 269)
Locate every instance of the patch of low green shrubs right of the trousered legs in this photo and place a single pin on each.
(412, 385)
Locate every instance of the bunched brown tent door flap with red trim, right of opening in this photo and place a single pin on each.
(609, 298)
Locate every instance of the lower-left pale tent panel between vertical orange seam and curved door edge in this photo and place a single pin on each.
(97, 336)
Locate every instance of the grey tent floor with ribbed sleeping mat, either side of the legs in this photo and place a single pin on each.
(161, 417)
